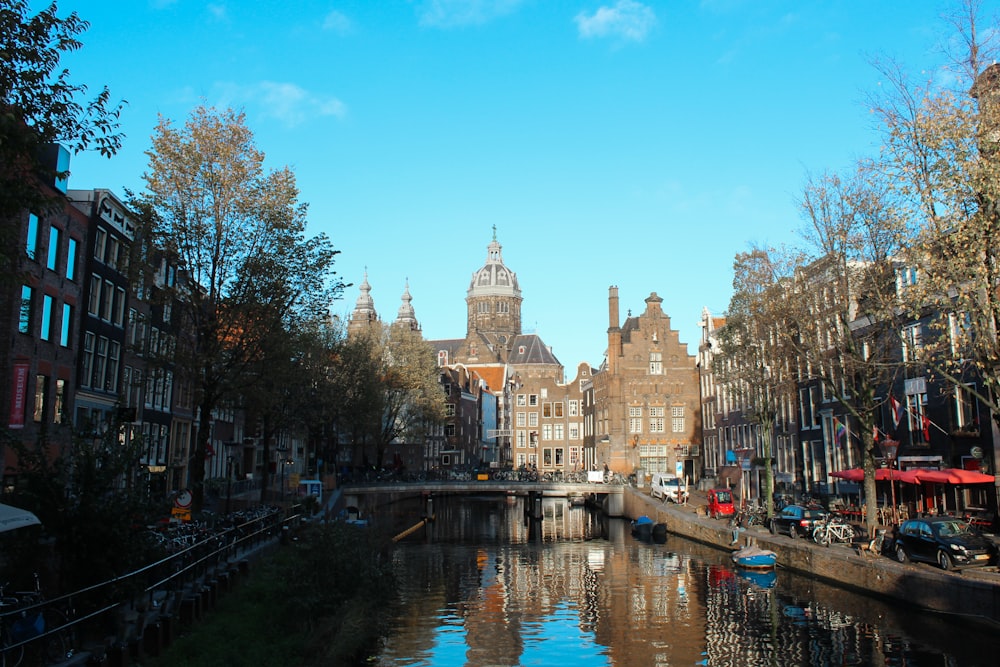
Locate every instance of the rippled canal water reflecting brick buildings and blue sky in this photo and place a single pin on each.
(483, 587)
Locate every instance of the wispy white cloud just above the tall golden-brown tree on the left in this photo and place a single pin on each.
(287, 102)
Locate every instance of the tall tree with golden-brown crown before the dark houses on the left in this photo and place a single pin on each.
(247, 269)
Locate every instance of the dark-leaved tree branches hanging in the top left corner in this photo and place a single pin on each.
(42, 106)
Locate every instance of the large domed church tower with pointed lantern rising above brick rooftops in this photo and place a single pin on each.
(494, 303)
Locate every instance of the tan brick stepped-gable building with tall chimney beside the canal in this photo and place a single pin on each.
(646, 396)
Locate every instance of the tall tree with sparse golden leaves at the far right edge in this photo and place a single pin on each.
(941, 154)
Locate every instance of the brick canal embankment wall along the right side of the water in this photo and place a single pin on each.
(972, 593)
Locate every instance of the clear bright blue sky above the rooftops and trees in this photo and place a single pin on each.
(633, 143)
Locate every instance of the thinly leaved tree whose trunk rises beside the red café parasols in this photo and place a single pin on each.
(845, 301)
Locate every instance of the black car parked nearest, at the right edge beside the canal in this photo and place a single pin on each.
(946, 541)
